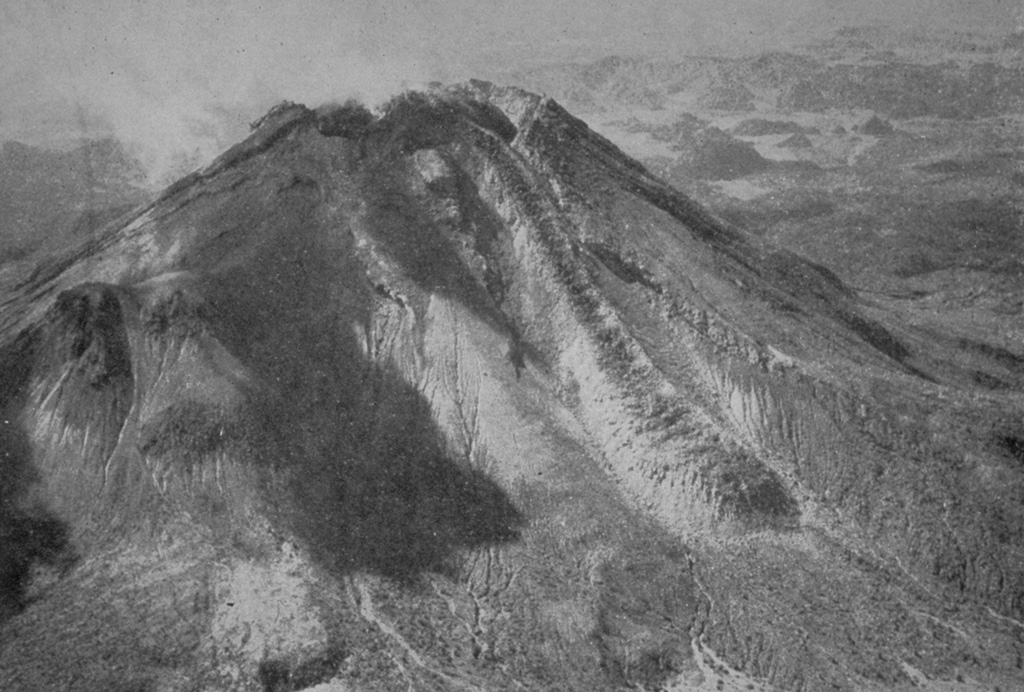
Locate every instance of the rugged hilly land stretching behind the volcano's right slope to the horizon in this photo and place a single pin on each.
(906, 188)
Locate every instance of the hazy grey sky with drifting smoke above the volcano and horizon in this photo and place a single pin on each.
(187, 75)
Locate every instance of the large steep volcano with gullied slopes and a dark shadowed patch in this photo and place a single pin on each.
(462, 398)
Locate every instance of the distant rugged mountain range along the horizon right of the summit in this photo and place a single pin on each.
(815, 80)
